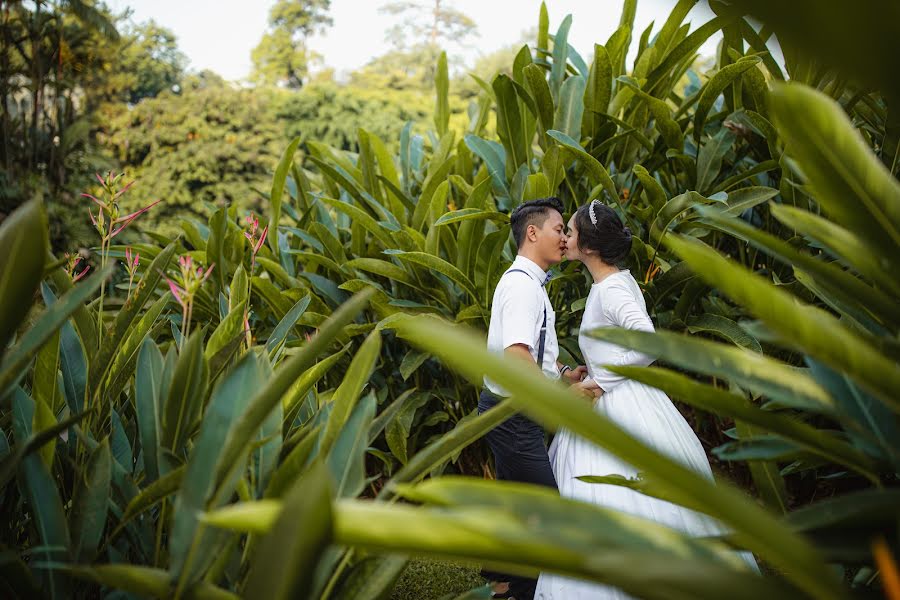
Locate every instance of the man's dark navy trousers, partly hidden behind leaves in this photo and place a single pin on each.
(520, 454)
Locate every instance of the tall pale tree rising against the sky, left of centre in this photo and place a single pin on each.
(282, 56)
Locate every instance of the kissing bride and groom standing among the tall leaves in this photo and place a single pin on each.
(523, 325)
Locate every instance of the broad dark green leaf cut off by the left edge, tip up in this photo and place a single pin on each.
(23, 244)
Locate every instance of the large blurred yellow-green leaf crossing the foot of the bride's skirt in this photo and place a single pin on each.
(548, 541)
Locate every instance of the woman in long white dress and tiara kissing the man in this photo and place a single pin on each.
(598, 239)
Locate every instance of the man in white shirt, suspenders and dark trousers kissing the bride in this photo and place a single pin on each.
(523, 325)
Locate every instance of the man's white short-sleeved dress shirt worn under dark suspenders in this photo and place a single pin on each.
(517, 313)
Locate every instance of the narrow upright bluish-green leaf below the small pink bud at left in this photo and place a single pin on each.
(147, 402)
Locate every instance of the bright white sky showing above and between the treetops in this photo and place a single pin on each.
(220, 34)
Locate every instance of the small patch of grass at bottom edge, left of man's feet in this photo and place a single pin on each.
(432, 579)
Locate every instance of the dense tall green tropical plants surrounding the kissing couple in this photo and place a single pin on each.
(286, 409)
